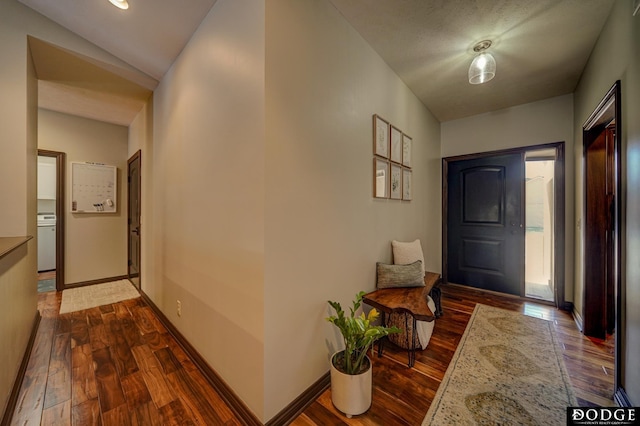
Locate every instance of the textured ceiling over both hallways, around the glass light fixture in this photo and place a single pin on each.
(540, 46)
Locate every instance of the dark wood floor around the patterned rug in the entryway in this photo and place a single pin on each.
(402, 396)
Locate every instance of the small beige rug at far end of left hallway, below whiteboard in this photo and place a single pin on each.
(77, 299)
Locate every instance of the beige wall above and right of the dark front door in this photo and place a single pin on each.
(536, 123)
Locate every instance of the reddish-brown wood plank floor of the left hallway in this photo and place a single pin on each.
(112, 365)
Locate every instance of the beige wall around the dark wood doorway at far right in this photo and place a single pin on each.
(617, 57)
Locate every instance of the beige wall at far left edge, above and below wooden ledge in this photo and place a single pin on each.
(18, 276)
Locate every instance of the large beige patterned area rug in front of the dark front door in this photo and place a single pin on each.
(508, 369)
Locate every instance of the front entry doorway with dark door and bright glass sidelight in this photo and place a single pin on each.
(484, 220)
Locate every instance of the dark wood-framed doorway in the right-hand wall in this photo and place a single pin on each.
(602, 222)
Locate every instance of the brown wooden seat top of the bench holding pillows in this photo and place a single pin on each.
(413, 299)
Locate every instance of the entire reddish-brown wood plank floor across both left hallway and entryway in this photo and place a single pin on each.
(117, 365)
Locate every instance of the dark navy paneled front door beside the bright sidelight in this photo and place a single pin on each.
(485, 234)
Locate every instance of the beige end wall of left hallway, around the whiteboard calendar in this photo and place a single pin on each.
(95, 244)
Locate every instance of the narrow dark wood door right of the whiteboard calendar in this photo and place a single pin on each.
(134, 186)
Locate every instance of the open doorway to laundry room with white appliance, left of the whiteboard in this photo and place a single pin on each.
(53, 202)
